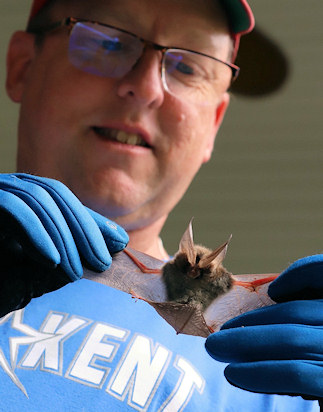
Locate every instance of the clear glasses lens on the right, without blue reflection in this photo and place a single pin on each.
(194, 77)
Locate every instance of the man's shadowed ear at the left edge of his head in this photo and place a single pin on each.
(21, 52)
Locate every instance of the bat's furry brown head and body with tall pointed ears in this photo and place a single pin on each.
(196, 274)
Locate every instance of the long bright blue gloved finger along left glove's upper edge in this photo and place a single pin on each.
(86, 233)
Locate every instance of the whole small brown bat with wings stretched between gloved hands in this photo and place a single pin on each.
(193, 292)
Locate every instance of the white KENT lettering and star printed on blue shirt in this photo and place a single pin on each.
(137, 368)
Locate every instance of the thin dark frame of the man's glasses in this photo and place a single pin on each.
(70, 22)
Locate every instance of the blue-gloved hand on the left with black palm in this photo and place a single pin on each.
(46, 234)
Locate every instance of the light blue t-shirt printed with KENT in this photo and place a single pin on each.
(88, 347)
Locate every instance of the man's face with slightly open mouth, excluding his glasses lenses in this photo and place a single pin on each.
(69, 118)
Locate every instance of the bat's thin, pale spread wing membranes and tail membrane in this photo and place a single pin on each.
(125, 275)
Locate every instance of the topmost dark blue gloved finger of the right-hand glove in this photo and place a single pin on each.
(301, 280)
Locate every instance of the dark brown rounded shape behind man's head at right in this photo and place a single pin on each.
(264, 65)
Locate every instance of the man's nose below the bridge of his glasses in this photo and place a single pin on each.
(143, 83)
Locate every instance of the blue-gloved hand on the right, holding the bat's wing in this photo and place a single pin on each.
(279, 349)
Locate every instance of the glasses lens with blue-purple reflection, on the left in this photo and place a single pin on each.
(102, 50)
